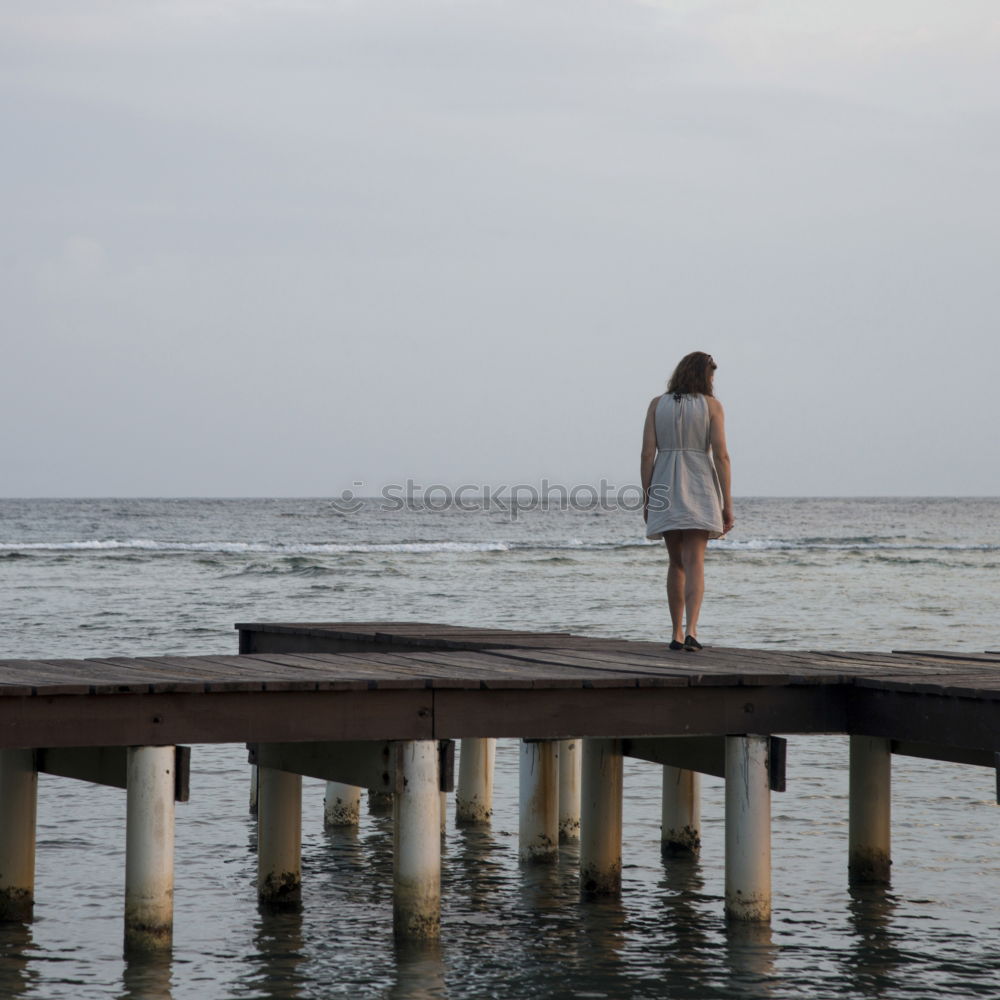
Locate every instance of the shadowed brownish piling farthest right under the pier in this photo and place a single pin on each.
(870, 833)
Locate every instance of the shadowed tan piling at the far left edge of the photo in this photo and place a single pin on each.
(18, 809)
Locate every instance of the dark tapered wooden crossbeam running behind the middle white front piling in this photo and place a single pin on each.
(365, 763)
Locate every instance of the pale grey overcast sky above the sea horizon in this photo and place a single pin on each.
(275, 248)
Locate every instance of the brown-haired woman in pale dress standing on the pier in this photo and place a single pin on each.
(686, 485)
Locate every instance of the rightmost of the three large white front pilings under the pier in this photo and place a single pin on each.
(748, 828)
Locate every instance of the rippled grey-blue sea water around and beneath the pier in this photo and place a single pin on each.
(131, 577)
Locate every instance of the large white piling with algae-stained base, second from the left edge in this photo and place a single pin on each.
(149, 848)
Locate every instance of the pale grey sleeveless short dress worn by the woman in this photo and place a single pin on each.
(685, 491)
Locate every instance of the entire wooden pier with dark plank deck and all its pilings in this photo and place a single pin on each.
(377, 705)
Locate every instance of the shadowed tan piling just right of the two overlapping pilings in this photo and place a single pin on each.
(601, 818)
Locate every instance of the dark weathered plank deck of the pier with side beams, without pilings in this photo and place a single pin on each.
(404, 681)
